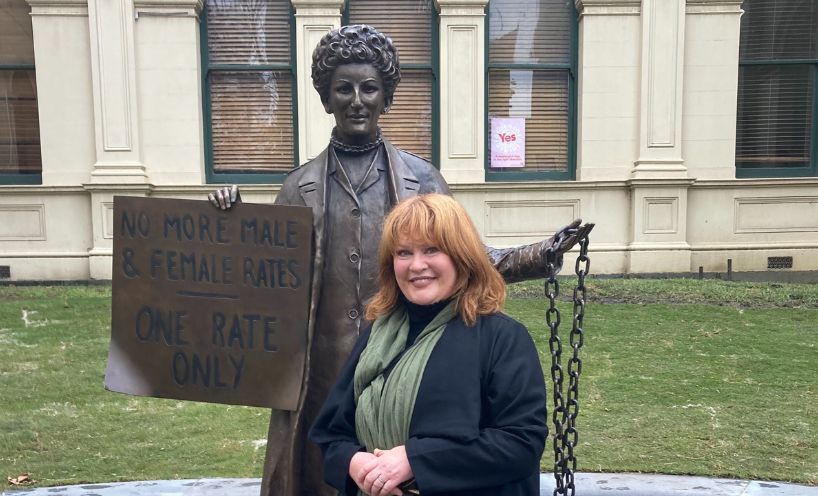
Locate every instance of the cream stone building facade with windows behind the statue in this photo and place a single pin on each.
(653, 99)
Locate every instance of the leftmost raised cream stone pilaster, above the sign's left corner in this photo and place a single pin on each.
(113, 75)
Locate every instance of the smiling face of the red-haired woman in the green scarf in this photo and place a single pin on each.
(424, 274)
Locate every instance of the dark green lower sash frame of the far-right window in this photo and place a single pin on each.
(782, 172)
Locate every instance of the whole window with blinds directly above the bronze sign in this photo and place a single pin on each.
(249, 84)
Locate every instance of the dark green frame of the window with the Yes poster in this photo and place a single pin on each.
(567, 174)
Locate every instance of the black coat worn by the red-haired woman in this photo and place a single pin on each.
(479, 423)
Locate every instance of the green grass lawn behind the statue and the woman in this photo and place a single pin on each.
(679, 376)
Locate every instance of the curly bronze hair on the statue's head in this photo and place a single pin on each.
(355, 44)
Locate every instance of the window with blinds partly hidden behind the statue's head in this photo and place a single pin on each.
(412, 25)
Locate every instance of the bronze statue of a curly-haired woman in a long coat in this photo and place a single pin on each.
(350, 187)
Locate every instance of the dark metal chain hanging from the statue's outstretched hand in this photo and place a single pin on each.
(564, 417)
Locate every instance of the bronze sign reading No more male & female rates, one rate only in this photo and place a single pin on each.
(210, 305)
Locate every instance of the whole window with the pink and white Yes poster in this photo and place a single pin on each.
(531, 89)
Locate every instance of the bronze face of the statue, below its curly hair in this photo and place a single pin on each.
(356, 100)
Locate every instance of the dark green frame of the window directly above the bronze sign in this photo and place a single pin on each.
(211, 176)
